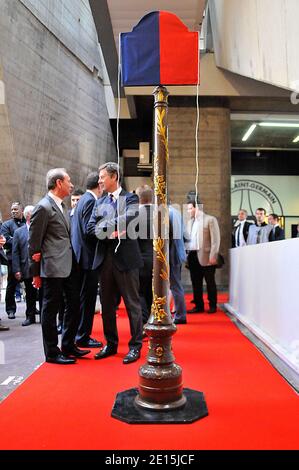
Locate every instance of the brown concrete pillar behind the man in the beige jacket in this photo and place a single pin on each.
(214, 165)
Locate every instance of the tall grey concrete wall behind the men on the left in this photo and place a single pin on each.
(55, 112)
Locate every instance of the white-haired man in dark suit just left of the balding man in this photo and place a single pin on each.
(20, 266)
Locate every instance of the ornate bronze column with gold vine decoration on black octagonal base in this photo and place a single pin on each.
(160, 397)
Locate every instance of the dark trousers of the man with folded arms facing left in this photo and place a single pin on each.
(124, 283)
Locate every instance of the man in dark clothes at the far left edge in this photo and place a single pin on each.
(8, 229)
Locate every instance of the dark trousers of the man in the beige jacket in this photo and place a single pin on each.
(198, 273)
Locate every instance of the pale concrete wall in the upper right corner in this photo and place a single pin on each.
(258, 39)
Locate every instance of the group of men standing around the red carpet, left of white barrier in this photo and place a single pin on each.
(70, 253)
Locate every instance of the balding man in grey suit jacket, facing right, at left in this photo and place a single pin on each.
(54, 266)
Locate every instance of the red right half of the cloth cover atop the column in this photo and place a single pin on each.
(178, 52)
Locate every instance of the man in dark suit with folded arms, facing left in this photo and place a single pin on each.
(118, 259)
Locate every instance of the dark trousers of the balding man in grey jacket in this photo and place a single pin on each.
(53, 290)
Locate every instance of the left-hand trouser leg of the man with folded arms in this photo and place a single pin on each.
(109, 298)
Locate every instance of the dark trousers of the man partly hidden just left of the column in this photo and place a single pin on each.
(145, 287)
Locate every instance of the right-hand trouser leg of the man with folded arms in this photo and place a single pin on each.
(128, 284)
